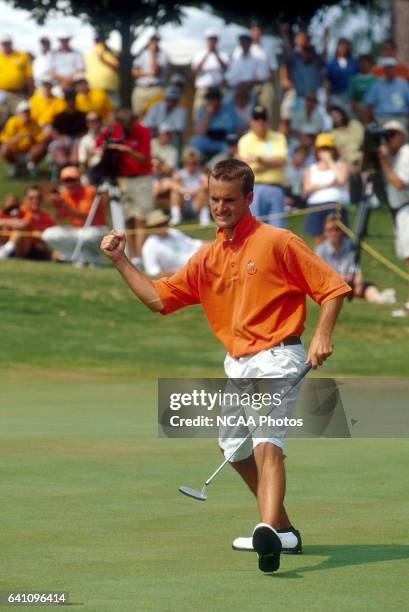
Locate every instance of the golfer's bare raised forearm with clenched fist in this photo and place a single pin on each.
(113, 246)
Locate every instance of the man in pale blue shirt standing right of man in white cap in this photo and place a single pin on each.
(244, 67)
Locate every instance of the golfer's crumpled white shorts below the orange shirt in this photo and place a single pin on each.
(279, 362)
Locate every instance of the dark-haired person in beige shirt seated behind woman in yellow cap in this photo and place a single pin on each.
(348, 135)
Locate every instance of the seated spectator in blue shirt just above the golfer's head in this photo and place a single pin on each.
(213, 122)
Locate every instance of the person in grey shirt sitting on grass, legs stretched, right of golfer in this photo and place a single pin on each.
(339, 252)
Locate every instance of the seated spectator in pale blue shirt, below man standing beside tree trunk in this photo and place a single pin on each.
(168, 111)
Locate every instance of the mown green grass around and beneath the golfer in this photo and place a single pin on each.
(89, 492)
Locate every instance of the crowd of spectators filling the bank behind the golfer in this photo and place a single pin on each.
(298, 119)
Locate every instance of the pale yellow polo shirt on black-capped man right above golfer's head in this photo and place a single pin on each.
(274, 145)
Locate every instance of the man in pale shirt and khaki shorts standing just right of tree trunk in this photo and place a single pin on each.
(149, 73)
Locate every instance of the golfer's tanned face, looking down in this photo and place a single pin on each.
(227, 202)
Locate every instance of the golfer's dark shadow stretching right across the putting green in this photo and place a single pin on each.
(343, 555)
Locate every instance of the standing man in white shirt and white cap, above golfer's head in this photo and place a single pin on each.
(208, 67)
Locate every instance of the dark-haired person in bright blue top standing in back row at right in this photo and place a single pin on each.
(339, 71)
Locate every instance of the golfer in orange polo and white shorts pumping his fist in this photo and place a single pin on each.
(252, 283)
